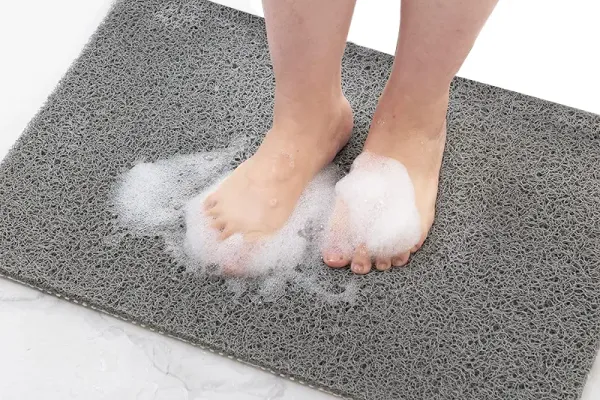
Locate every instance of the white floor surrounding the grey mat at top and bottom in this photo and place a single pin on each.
(55, 350)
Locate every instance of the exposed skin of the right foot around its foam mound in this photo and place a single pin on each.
(414, 136)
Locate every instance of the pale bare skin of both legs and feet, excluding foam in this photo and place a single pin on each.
(313, 120)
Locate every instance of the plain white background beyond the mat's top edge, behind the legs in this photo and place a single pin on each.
(545, 48)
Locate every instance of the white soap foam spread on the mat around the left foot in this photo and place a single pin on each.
(165, 198)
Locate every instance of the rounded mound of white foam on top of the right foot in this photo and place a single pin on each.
(379, 199)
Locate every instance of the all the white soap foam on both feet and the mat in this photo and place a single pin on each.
(165, 199)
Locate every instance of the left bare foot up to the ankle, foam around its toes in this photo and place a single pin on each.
(259, 196)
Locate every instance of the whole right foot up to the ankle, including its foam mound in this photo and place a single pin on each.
(413, 135)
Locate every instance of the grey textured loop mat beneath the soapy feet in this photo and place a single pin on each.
(501, 303)
